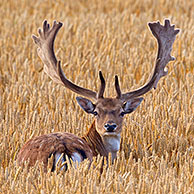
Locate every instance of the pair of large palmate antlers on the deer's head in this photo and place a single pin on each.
(165, 36)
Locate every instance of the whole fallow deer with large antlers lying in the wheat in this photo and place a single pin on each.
(103, 137)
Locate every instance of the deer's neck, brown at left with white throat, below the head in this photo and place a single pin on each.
(102, 145)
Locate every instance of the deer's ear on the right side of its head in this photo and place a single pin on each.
(131, 105)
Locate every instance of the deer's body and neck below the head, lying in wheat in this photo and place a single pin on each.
(76, 148)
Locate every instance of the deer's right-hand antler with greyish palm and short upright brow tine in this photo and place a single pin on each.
(165, 36)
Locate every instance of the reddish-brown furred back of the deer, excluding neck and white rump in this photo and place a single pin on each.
(42, 147)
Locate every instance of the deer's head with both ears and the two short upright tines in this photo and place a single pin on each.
(108, 112)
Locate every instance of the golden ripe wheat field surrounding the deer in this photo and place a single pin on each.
(157, 149)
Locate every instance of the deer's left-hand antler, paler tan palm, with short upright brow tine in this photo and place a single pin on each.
(52, 67)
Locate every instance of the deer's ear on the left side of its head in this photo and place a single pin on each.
(86, 104)
